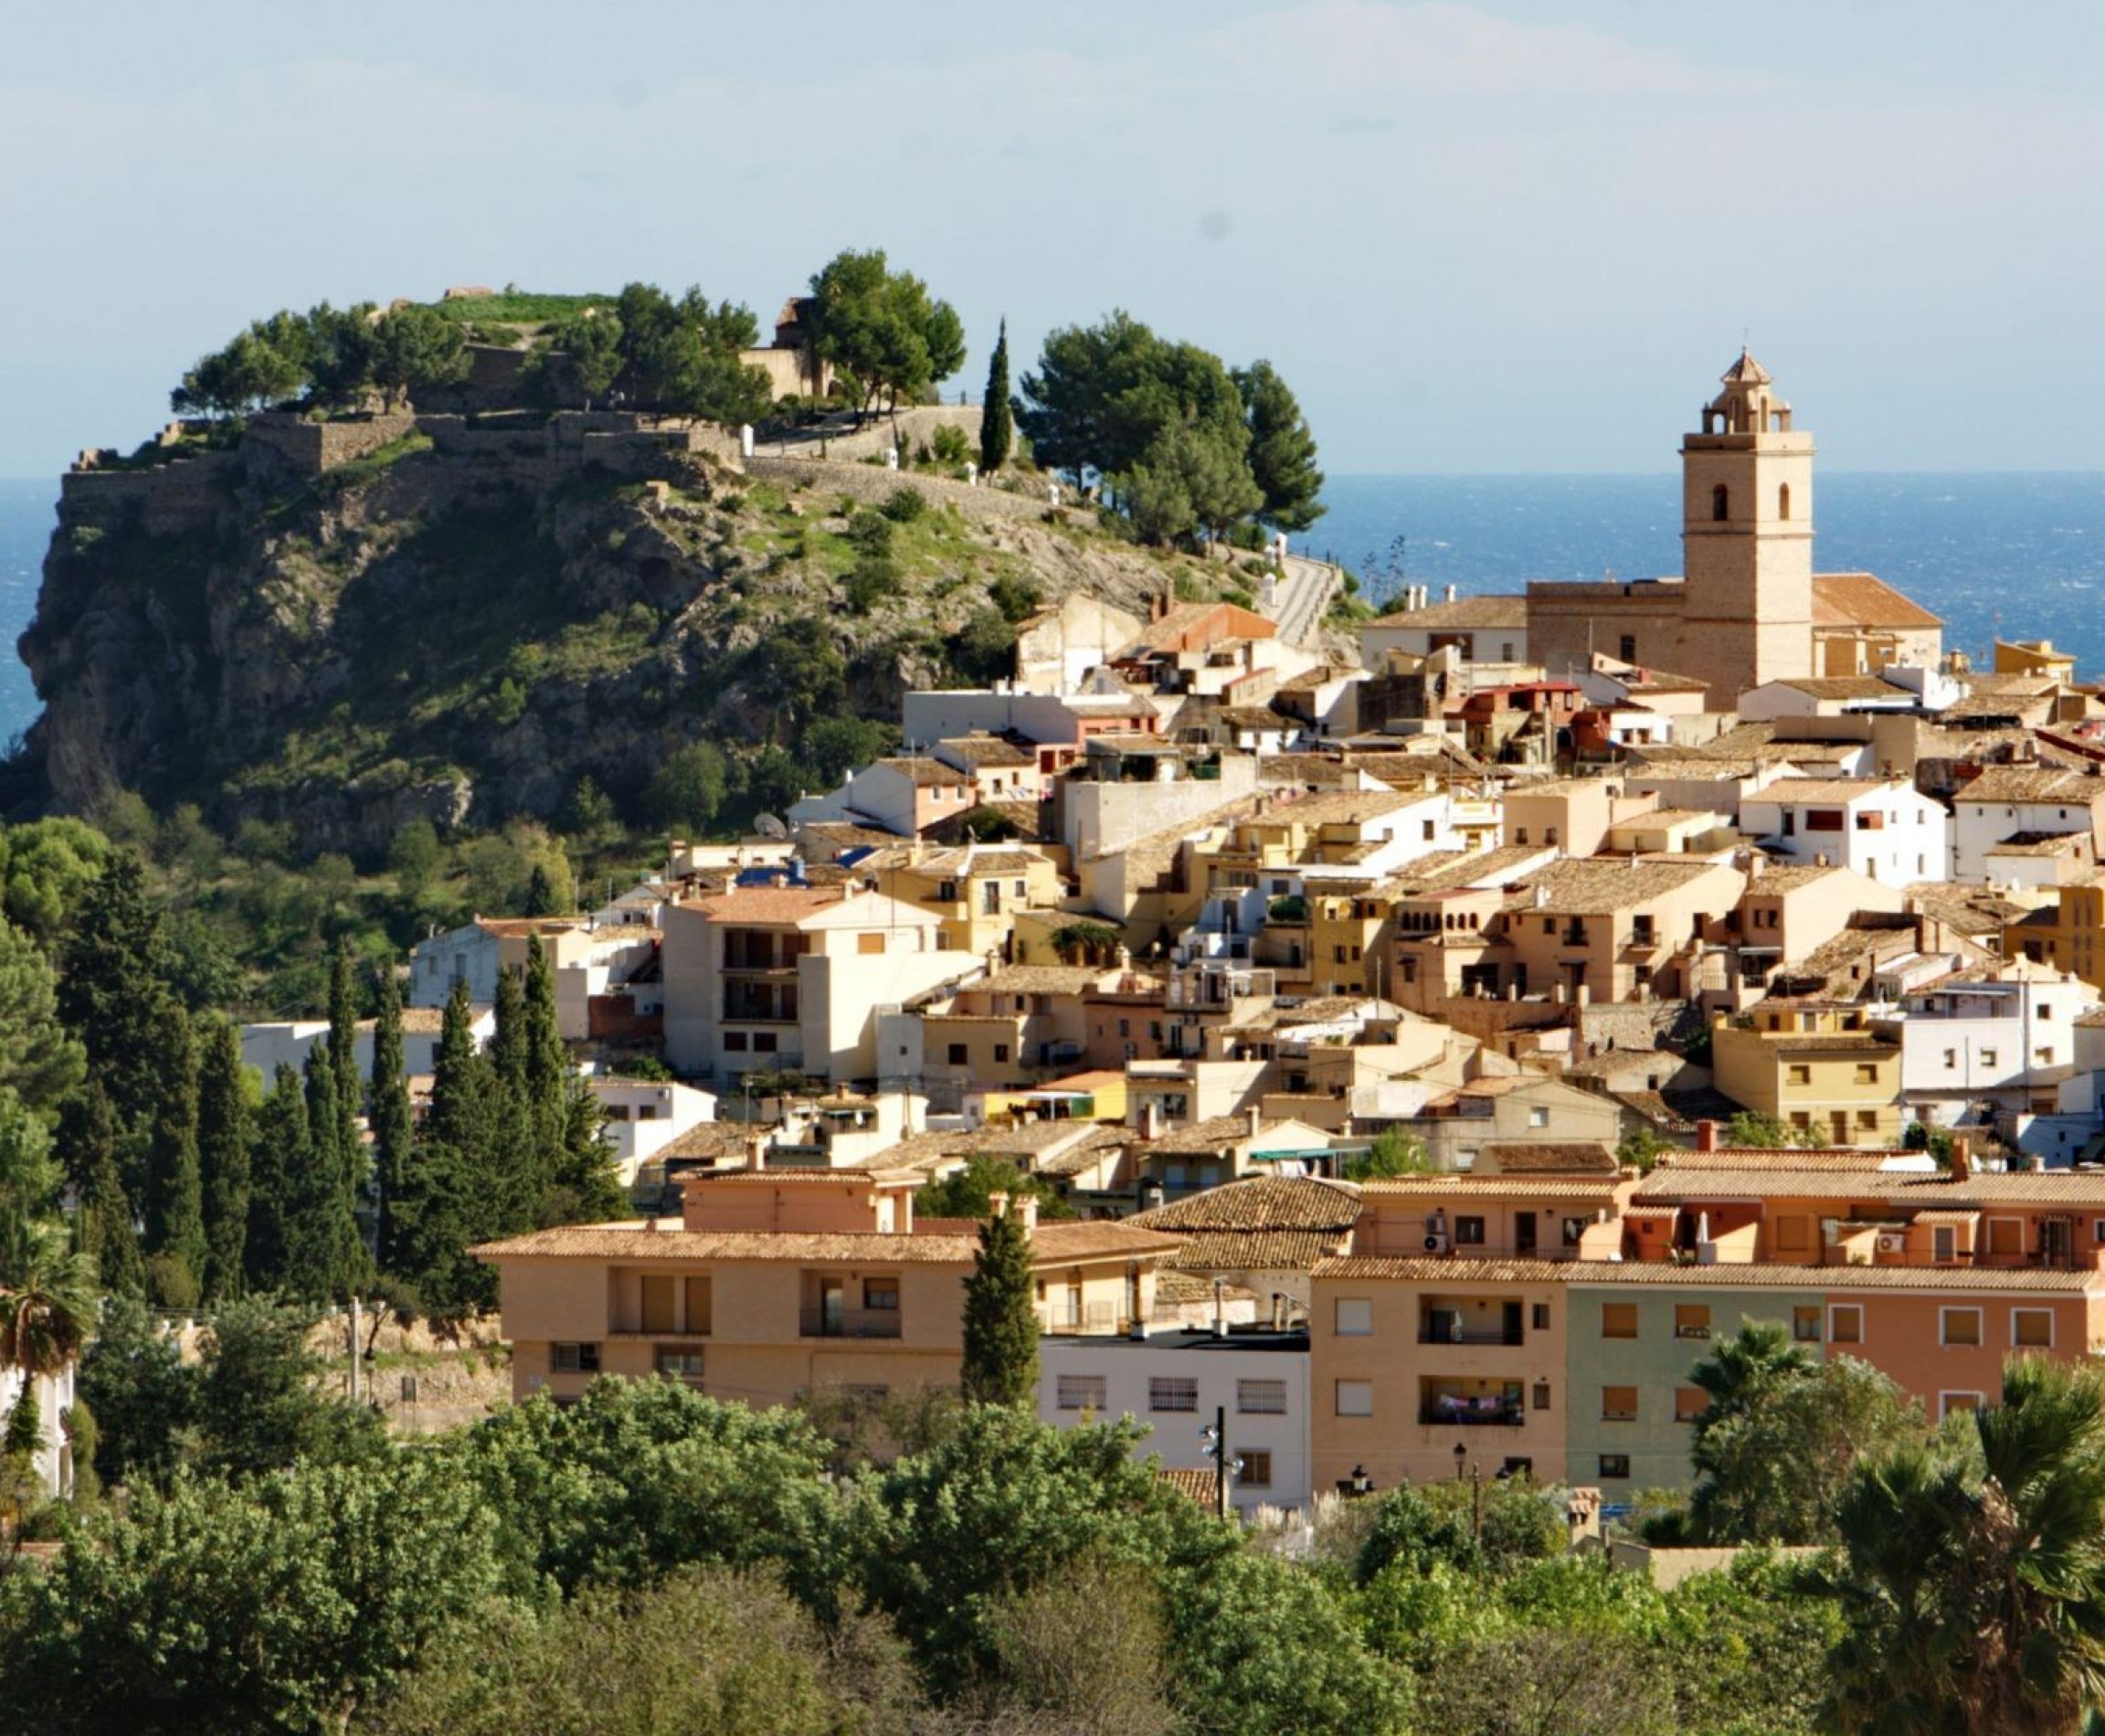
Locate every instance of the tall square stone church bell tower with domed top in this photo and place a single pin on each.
(1746, 540)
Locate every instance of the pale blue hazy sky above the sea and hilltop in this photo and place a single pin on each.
(1487, 237)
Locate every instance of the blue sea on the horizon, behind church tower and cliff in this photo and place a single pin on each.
(2016, 554)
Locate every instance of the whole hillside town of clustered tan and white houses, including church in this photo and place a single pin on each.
(1407, 1055)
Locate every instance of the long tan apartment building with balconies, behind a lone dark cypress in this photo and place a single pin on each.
(780, 1283)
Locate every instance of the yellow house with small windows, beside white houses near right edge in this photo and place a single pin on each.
(1820, 1070)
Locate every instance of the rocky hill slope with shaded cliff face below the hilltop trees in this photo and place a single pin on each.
(346, 626)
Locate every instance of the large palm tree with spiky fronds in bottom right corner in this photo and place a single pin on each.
(1973, 1571)
